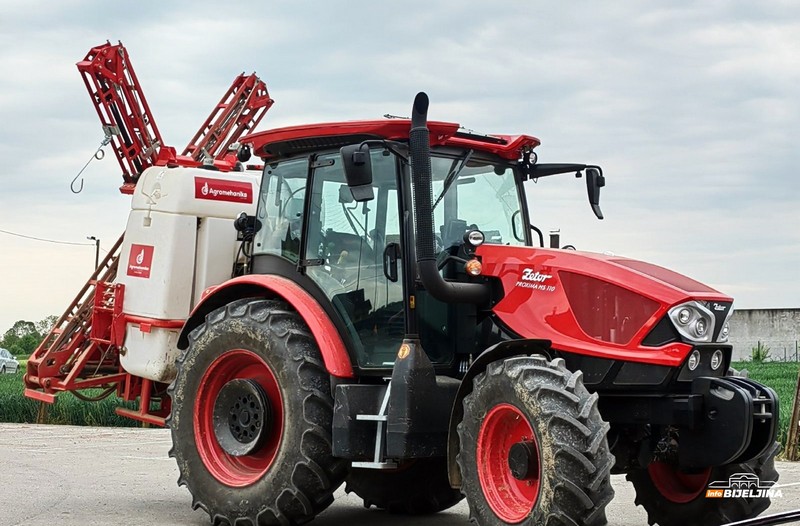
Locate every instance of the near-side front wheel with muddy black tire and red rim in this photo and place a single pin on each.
(533, 447)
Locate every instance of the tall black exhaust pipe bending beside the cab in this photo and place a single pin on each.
(419, 143)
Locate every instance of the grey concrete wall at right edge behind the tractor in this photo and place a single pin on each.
(778, 329)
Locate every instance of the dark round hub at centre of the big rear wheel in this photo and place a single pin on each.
(242, 417)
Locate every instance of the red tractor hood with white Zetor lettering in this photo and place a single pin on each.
(592, 303)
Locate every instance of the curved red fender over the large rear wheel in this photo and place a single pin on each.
(331, 346)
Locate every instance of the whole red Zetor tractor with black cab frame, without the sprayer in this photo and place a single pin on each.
(422, 354)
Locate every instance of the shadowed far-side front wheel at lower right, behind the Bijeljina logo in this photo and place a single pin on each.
(674, 498)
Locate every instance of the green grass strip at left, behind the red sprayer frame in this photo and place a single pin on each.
(15, 407)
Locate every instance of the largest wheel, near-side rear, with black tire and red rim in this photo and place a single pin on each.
(251, 418)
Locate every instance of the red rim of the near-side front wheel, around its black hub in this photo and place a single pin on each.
(512, 500)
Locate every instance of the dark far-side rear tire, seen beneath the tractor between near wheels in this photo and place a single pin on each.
(418, 487)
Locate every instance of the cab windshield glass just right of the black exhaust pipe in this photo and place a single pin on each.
(473, 194)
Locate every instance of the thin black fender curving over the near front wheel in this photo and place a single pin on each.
(500, 351)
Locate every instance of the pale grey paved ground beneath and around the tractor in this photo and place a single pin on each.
(98, 476)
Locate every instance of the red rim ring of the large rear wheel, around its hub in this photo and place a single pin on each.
(228, 469)
